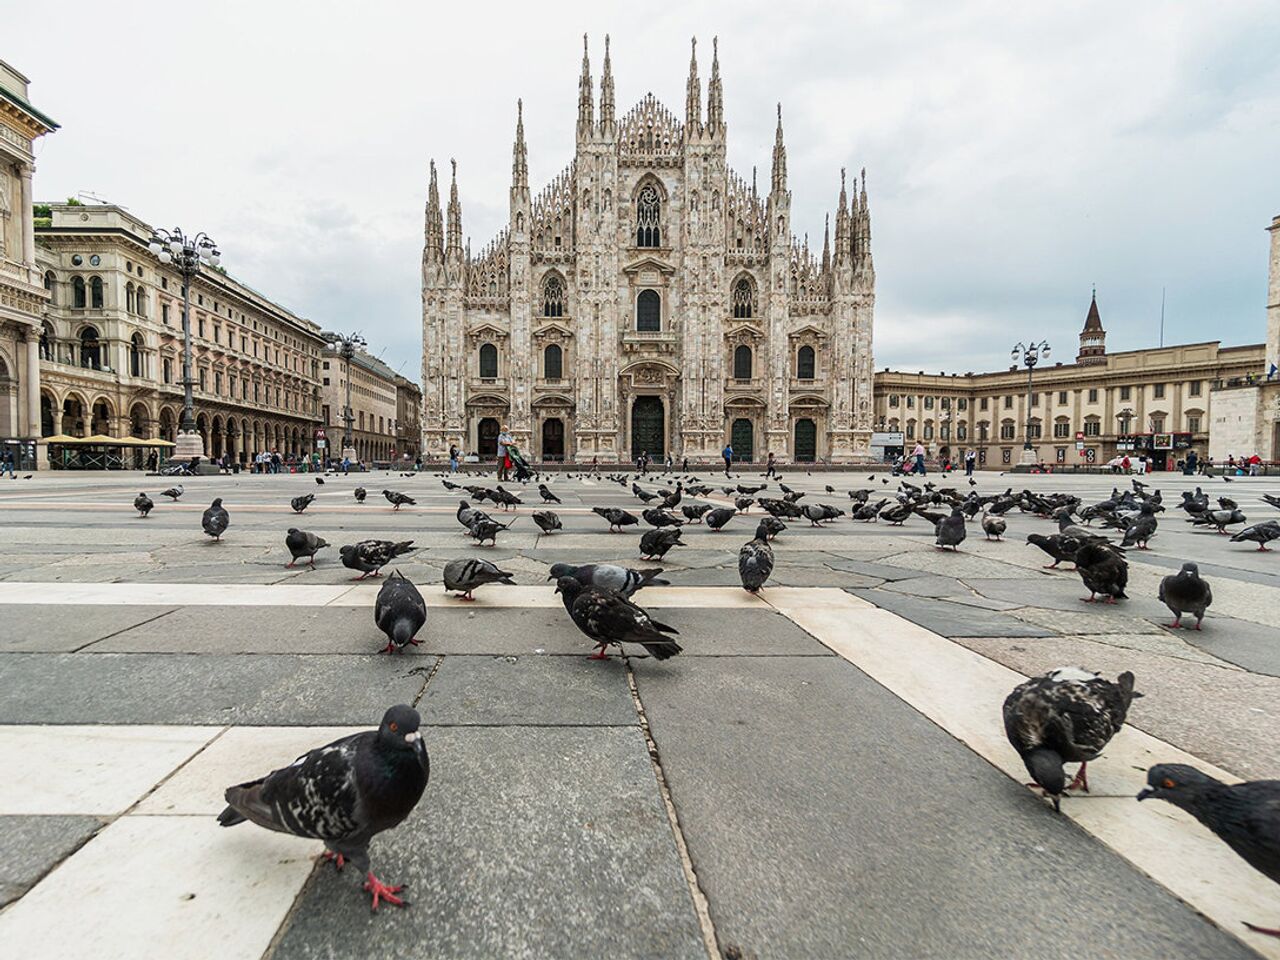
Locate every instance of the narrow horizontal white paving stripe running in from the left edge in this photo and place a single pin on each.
(349, 595)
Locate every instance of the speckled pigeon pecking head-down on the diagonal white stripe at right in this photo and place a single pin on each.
(1066, 716)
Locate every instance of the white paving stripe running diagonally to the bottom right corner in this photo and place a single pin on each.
(963, 692)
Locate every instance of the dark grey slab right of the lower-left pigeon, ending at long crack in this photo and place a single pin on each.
(533, 843)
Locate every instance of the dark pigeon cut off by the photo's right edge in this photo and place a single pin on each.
(1245, 816)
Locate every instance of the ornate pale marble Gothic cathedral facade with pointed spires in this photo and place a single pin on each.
(650, 300)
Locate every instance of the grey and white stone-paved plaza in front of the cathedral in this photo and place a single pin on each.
(822, 774)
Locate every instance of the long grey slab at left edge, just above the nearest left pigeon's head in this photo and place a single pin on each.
(282, 691)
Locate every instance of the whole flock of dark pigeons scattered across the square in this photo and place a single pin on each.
(350, 790)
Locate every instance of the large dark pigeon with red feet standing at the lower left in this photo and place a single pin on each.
(344, 794)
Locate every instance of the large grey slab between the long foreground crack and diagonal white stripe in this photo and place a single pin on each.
(830, 808)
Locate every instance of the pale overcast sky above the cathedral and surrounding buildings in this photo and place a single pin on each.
(1016, 156)
